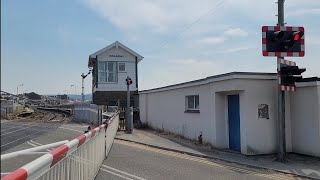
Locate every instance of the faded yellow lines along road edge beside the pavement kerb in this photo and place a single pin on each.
(274, 175)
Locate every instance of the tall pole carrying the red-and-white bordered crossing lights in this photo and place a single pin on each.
(281, 98)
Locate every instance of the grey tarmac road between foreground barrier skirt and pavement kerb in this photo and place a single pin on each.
(132, 161)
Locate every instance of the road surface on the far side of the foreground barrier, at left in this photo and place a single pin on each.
(28, 135)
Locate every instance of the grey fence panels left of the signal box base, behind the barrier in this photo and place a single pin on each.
(86, 113)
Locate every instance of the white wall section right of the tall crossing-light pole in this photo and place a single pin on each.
(305, 116)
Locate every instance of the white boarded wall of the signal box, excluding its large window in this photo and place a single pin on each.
(129, 61)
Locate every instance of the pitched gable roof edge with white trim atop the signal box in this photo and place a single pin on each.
(115, 44)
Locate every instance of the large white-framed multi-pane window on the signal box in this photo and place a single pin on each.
(107, 72)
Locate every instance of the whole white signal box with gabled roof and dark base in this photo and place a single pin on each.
(111, 66)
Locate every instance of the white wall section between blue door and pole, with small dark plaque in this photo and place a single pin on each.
(258, 135)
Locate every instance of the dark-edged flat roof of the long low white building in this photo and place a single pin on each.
(220, 77)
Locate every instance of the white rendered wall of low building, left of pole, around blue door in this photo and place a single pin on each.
(165, 110)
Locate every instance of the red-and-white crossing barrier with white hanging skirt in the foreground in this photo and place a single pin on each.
(79, 159)
